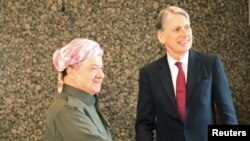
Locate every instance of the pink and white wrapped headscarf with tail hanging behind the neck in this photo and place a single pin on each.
(76, 51)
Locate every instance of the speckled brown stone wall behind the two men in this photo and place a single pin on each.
(30, 31)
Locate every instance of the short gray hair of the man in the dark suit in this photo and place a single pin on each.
(165, 13)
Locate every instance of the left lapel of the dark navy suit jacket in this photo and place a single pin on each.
(166, 79)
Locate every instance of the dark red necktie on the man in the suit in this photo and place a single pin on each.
(180, 92)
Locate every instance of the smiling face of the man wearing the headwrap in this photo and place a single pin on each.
(88, 75)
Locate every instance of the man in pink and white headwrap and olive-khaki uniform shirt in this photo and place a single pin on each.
(74, 115)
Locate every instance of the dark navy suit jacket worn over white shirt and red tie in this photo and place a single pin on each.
(207, 86)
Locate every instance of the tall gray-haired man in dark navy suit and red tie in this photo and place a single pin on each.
(160, 85)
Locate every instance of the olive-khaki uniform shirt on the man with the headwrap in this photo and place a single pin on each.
(74, 116)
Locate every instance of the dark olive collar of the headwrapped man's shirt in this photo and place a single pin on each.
(79, 94)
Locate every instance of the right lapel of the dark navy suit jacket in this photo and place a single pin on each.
(194, 67)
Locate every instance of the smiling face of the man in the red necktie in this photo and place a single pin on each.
(176, 35)
